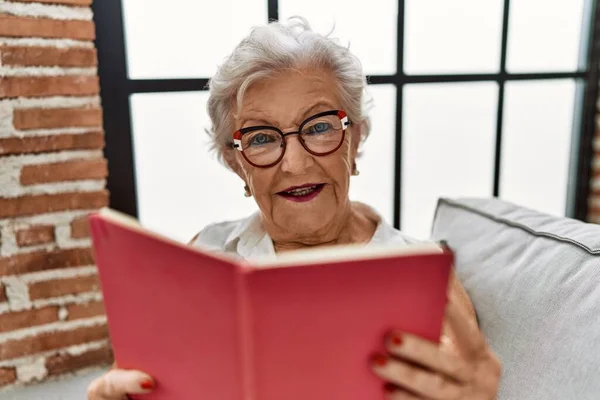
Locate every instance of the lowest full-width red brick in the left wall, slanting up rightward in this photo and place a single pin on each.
(51, 340)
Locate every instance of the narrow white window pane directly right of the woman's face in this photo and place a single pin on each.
(375, 184)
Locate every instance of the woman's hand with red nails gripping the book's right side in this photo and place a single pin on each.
(419, 369)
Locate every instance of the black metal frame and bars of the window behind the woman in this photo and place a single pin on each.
(117, 87)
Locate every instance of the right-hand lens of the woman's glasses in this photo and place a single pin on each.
(323, 134)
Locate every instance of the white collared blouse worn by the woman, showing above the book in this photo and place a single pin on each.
(246, 237)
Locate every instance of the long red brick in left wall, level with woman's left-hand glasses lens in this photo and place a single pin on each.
(44, 144)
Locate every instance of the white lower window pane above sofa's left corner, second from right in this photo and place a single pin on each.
(448, 147)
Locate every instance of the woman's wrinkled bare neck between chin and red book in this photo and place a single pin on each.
(356, 225)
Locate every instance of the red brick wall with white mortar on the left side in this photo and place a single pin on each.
(52, 175)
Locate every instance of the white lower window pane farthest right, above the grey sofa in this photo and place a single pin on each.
(536, 143)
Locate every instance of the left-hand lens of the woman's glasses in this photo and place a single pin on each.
(262, 147)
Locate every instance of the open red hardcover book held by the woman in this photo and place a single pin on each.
(302, 327)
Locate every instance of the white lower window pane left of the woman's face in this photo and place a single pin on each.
(181, 187)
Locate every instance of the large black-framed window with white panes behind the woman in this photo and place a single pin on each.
(471, 98)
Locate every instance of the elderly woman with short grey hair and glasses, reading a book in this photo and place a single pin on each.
(288, 115)
